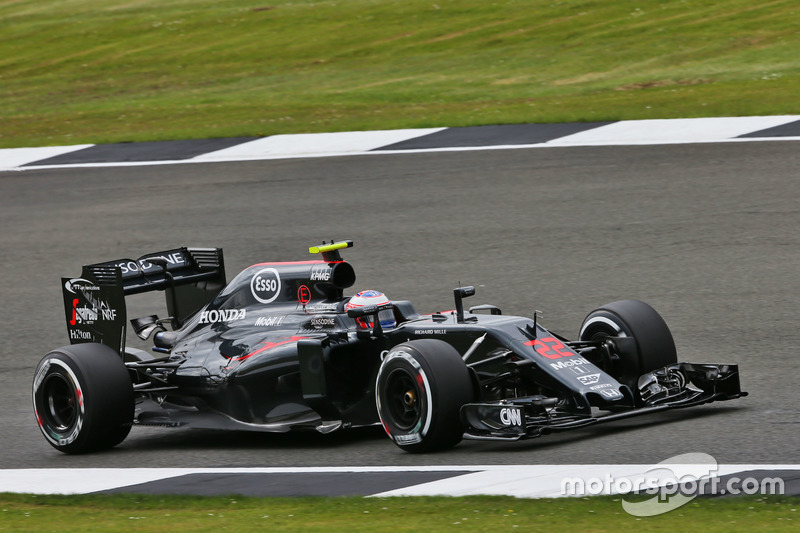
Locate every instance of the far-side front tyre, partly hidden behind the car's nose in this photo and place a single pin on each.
(654, 346)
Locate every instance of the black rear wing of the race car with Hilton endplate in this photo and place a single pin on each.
(94, 304)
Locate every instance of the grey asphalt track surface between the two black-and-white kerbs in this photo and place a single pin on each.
(706, 233)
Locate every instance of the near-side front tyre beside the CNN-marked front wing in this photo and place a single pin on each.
(420, 389)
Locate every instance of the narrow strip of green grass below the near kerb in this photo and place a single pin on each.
(396, 515)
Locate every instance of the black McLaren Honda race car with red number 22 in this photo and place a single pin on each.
(282, 348)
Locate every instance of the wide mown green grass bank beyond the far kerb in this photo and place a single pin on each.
(75, 71)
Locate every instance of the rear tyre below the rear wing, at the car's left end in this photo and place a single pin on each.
(83, 398)
